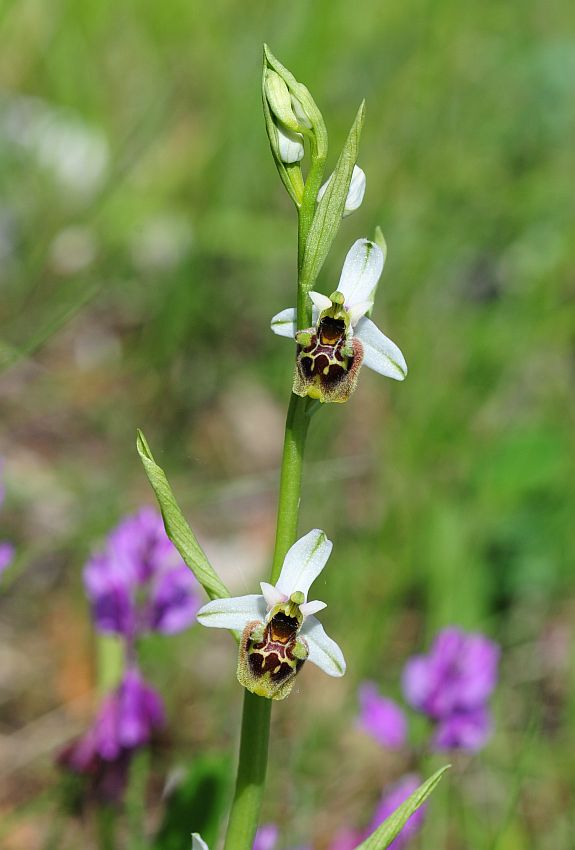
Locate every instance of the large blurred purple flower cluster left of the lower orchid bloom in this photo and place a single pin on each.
(138, 583)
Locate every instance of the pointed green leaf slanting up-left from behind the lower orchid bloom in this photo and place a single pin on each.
(176, 526)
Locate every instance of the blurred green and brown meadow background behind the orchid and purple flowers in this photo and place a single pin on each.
(145, 242)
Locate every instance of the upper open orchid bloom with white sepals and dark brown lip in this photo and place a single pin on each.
(330, 354)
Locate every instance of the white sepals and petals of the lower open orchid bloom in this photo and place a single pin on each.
(303, 563)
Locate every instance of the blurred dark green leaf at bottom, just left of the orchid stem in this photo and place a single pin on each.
(196, 804)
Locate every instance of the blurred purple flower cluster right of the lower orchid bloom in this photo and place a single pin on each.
(452, 685)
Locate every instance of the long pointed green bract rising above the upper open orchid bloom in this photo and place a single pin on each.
(329, 211)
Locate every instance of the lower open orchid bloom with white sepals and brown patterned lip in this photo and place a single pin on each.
(279, 630)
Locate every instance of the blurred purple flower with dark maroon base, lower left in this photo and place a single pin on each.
(126, 721)
